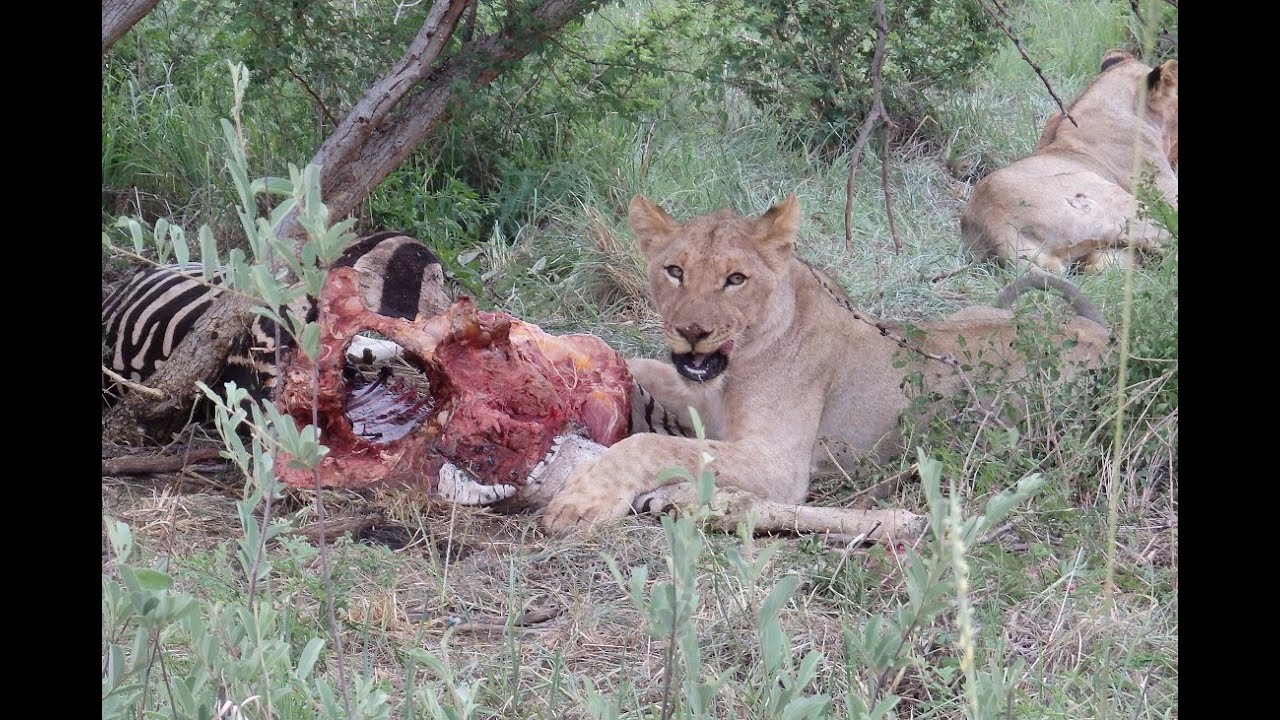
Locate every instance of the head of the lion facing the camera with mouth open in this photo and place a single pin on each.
(715, 280)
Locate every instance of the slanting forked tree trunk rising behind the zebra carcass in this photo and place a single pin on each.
(403, 108)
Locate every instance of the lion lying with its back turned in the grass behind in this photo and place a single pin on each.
(1075, 202)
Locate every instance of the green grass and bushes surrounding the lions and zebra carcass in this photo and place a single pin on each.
(700, 106)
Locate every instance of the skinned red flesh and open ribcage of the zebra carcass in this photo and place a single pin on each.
(509, 412)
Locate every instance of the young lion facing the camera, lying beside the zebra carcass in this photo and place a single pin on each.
(780, 366)
